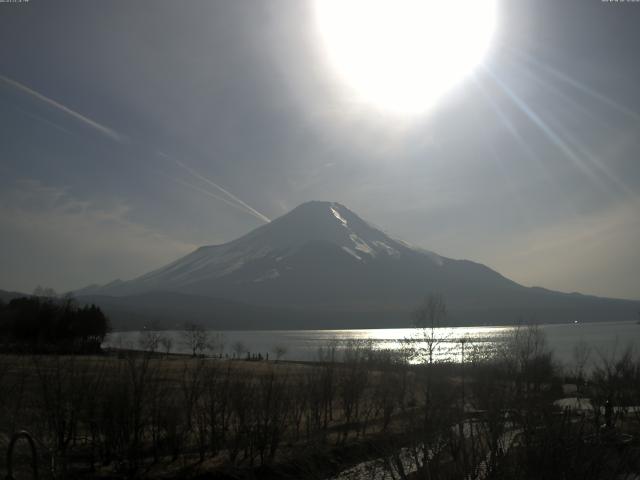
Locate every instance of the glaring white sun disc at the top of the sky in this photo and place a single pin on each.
(402, 55)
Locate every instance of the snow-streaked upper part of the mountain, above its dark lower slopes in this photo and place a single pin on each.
(266, 253)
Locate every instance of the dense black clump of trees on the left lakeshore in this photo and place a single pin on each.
(48, 324)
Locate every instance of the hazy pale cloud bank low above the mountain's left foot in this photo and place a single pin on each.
(53, 238)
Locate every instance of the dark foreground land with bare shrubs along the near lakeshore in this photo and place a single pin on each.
(146, 415)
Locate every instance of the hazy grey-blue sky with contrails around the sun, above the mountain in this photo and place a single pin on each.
(118, 118)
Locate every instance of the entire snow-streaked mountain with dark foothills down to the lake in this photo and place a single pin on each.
(322, 266)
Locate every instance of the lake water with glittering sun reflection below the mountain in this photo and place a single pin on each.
(602, 338)
